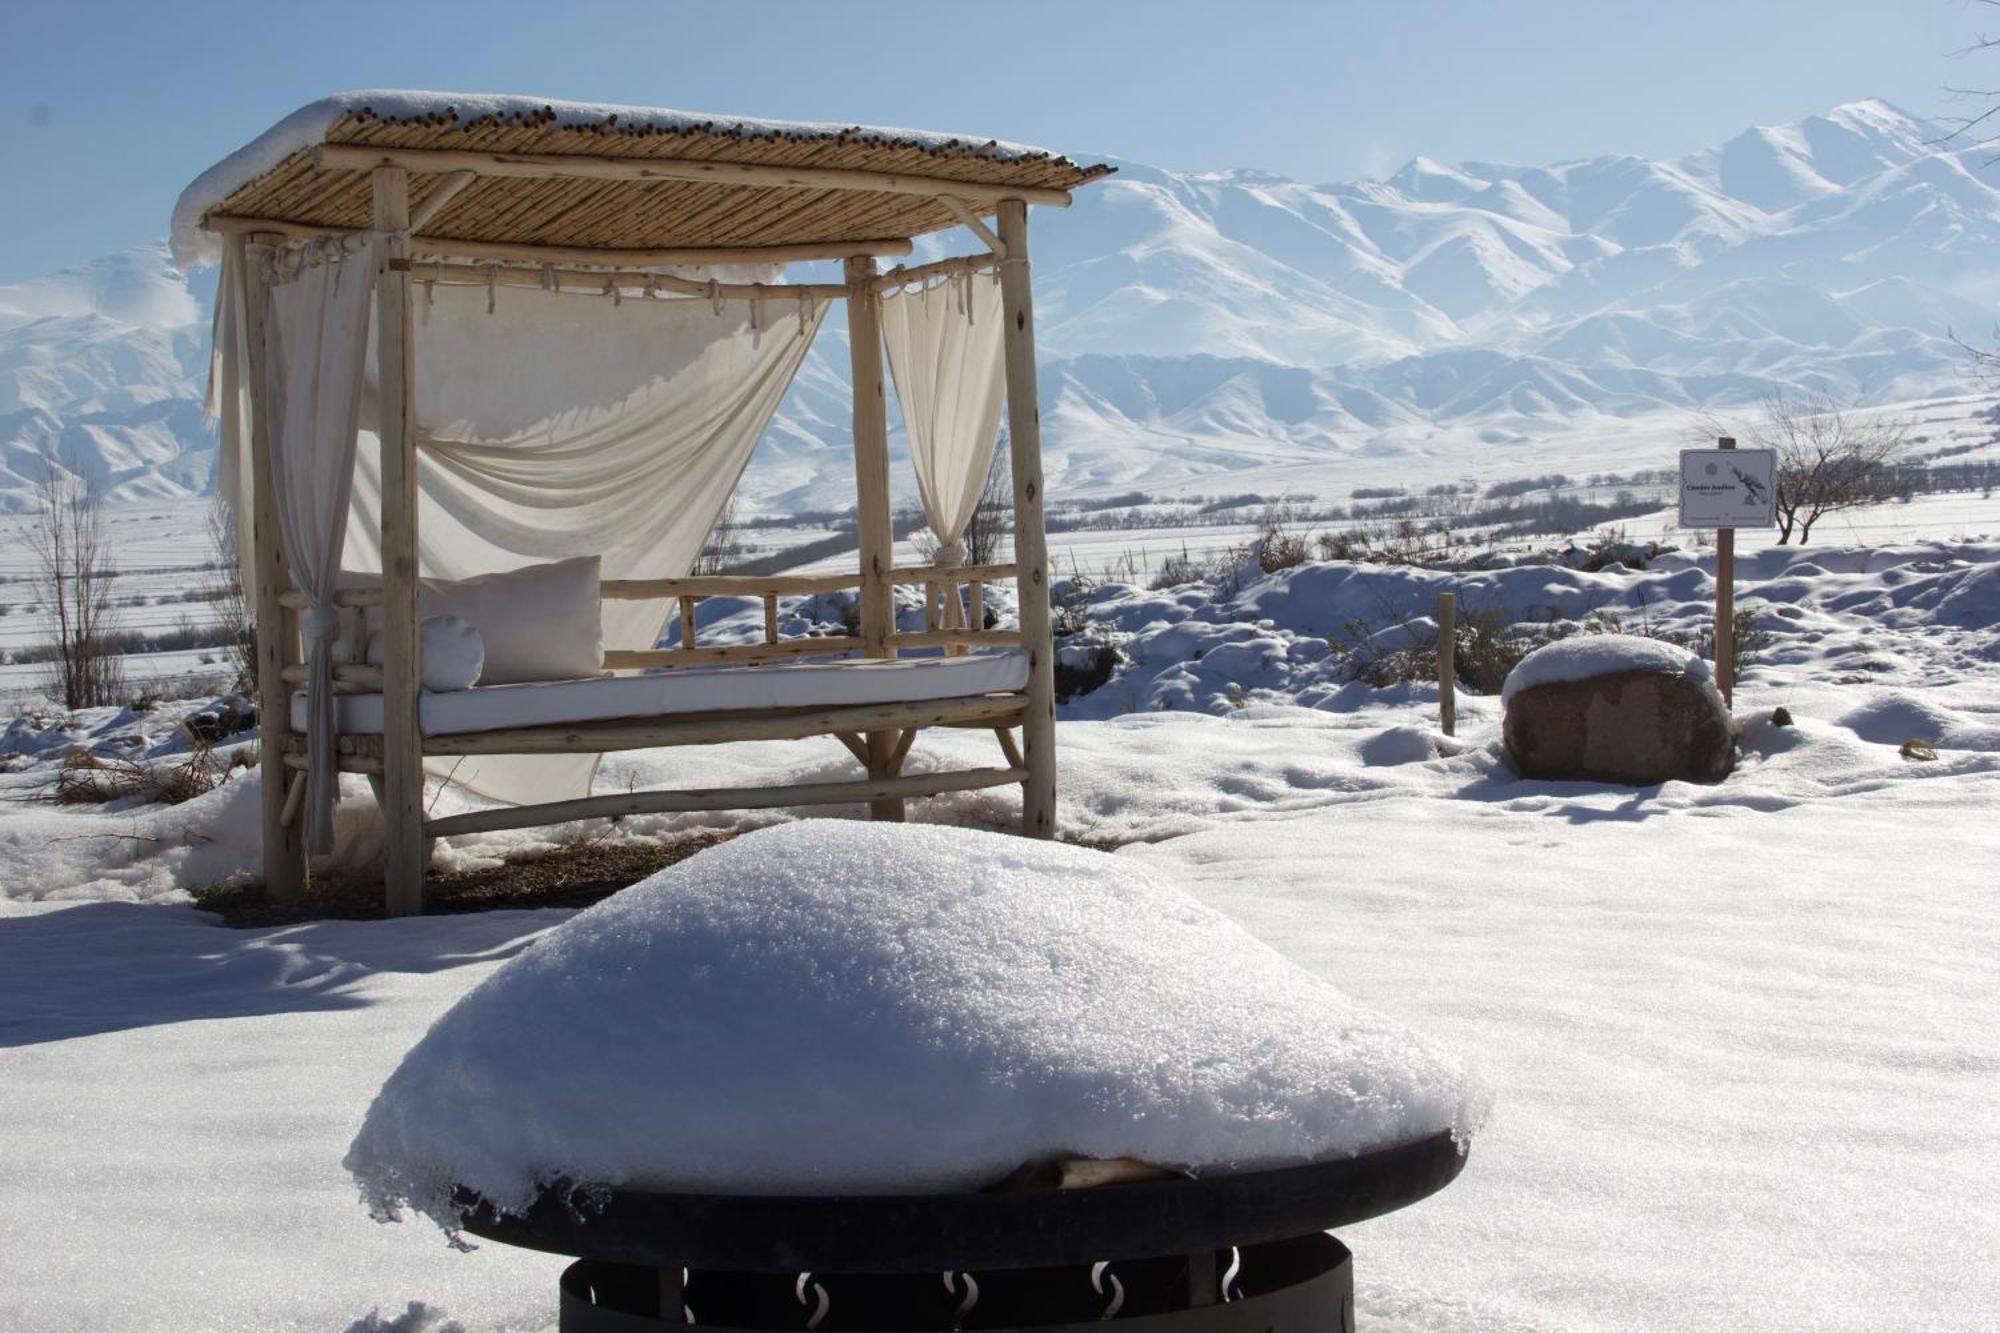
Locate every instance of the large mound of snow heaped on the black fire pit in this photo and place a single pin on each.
(839, 1008)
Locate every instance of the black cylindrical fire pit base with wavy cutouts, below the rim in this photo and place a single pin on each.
(1297, 1286)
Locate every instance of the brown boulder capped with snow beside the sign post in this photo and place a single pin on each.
(1617, 710)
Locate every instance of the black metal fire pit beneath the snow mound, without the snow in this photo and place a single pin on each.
(1227, 1254)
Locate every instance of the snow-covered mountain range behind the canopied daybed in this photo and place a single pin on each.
(1215, 321)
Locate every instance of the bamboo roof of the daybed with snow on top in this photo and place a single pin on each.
(659, 179)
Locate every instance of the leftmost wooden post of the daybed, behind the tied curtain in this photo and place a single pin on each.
(285, 842)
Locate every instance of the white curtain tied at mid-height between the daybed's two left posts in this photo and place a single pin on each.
(315, 357)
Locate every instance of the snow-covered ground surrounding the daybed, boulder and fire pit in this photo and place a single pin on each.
(1745, 1040)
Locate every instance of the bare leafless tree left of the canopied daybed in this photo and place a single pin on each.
(73, 573)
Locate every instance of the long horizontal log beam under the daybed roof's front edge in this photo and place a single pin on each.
(747, 175)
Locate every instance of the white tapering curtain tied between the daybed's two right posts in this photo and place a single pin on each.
(945, 357)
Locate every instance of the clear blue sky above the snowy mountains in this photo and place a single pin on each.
(109, 109)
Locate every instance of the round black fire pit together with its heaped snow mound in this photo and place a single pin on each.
(841, 1076)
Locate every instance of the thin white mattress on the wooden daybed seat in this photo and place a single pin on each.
(697, 690)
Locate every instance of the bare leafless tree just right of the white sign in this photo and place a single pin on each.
(1831, 457)
